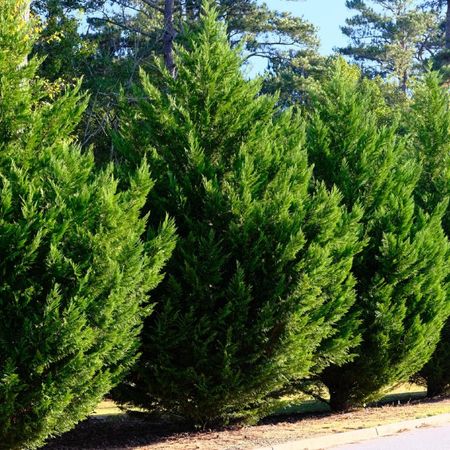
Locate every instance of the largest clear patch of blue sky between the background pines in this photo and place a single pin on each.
(326, 15)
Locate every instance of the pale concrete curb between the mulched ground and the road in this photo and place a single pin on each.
(349, 437)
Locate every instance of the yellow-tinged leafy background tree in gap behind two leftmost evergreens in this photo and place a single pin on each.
(72, 49)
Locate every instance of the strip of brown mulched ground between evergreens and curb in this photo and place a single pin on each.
(121, 431)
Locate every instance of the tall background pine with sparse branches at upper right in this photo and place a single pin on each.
(393, 38)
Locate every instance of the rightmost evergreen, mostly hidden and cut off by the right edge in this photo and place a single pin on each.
(428, 125)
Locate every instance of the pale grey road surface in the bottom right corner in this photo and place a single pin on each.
(421, 439)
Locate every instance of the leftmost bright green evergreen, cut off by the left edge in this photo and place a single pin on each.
(74, 273)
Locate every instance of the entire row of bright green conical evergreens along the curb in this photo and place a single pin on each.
(284, 249)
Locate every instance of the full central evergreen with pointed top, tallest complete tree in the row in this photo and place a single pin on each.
(258, 287)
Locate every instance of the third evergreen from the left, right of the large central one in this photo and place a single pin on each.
(401, 273)
